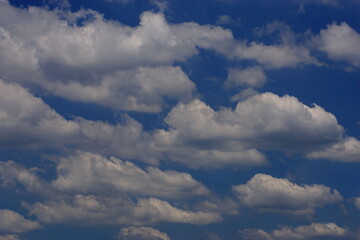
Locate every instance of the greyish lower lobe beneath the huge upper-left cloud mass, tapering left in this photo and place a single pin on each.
(142, 89)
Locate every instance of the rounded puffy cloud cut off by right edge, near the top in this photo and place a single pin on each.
(340, 42)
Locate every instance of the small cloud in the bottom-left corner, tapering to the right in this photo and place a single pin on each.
(12, 222)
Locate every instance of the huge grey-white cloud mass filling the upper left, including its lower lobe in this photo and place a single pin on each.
(101, 60)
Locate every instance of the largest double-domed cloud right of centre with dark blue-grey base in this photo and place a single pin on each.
(265, 121)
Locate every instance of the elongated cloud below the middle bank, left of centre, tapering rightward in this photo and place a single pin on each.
(92, 173)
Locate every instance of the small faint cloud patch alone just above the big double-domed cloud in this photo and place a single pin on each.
(249, 77)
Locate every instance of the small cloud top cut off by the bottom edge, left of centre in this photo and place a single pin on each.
(142, 233)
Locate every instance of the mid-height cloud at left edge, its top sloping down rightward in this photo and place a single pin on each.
(28, 121)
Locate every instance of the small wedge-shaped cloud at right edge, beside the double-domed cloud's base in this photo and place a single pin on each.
(347, 150)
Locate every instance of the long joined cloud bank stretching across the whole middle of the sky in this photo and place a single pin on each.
(197, 136)
